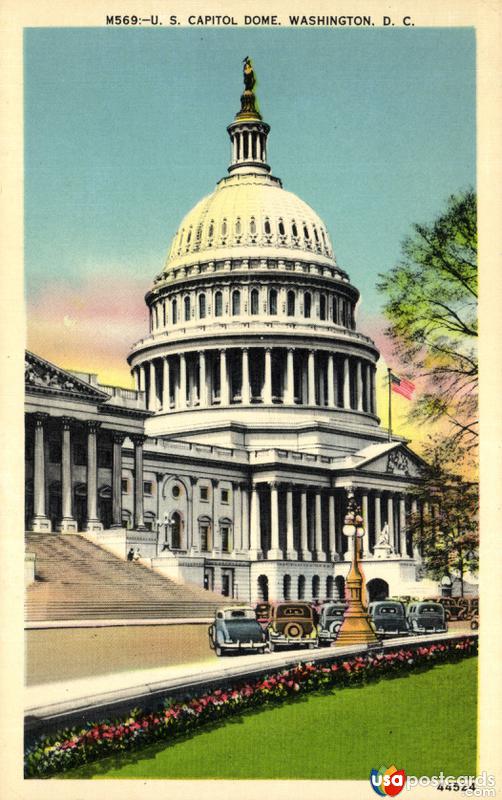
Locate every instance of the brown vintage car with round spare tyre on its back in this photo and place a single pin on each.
(292, 625)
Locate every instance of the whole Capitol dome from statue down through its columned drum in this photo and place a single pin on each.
(252, 322)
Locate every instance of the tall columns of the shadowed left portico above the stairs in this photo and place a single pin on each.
(41, 521)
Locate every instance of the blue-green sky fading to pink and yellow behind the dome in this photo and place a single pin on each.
(125, 130)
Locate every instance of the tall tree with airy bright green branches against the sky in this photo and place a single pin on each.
(432, 309)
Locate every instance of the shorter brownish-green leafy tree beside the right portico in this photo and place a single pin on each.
(446, 531)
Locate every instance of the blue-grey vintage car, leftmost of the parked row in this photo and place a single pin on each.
(236, 629)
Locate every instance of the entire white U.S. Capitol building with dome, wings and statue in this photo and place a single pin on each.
(254, 411)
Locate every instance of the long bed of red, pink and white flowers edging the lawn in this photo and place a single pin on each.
(73, 747)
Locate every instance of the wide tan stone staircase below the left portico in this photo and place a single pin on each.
(78, 580)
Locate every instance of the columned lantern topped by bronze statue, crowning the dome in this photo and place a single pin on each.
(248, 133)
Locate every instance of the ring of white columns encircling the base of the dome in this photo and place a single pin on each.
(311, 378)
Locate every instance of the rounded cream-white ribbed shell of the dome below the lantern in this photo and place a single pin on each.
(250, 215)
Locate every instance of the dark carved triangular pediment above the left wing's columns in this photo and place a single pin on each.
(40, 376)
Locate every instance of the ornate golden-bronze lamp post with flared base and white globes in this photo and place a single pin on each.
(356, 627)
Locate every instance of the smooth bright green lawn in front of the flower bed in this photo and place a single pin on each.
(423, 723)
